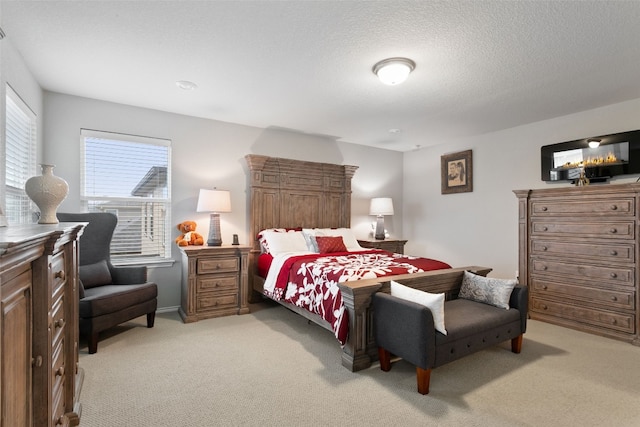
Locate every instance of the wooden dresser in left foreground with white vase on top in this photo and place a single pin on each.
(40, 376)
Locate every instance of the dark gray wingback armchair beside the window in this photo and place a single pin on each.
(109, 295)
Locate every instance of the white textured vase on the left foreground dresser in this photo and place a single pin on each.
(47, 191)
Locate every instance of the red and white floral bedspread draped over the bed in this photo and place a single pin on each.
(311, 281)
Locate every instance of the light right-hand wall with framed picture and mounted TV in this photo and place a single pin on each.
(480, 228)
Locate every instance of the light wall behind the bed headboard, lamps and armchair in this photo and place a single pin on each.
(207, 154)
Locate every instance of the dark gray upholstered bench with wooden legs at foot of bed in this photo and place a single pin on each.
(412, 330)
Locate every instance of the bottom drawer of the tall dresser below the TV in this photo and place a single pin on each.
(602, 318)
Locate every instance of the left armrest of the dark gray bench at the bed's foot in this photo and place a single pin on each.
(405, 329)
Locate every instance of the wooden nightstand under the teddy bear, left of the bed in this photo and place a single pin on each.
(215, 281)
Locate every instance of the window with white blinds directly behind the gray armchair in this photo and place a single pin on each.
(130, 177)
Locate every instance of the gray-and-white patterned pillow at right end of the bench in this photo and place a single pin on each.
(489, 291)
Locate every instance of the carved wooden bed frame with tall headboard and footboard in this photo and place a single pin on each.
(294, 195)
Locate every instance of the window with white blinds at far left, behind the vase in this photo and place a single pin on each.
(20, 155)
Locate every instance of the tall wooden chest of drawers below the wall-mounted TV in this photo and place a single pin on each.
(578, 253)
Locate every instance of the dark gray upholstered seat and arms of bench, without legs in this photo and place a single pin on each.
(406, 329)
